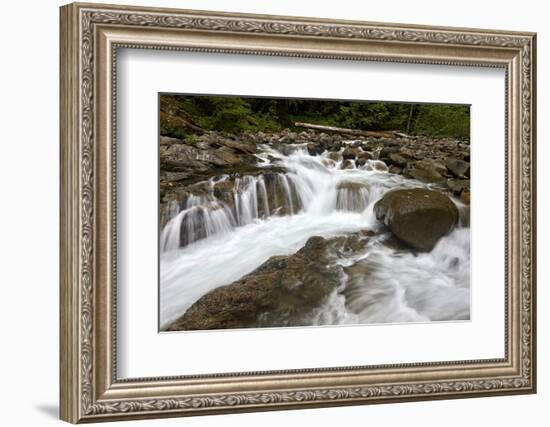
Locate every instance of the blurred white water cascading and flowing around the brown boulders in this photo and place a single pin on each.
(212, 240)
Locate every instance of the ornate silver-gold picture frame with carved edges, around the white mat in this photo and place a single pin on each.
(91, 34)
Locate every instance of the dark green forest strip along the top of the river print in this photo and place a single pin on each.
(236, 115)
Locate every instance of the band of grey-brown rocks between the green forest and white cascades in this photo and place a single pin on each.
(184, 166)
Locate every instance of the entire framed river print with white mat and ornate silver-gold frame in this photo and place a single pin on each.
(267, 212)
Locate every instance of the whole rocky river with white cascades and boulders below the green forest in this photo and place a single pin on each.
(312, 228)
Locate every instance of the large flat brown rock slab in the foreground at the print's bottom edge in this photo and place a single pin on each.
(281, 292)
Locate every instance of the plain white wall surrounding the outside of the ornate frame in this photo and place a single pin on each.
(29, 170)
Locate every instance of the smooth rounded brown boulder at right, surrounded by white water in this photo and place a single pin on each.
(417, 216)
